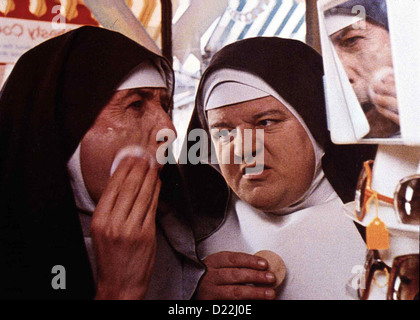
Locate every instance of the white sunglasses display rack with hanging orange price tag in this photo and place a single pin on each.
(393, 240)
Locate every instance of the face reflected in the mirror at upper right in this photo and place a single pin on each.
(363, 53)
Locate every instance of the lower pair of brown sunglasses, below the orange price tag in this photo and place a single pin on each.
(402, 279)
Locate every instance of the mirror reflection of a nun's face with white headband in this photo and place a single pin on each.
(359, 32)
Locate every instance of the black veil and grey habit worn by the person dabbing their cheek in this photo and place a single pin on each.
(50, 101)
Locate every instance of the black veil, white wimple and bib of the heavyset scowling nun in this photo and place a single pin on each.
(319, 245)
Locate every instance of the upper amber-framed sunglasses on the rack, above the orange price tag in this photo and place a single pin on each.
(406, 199)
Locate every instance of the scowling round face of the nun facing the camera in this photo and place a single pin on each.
(288, 154)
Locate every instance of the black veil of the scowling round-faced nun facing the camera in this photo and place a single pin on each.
(295, 72)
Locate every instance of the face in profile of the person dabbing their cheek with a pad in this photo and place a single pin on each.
(131, 117)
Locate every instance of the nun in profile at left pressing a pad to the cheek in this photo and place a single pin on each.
(86, 210)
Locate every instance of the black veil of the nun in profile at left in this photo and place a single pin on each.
(51, 99)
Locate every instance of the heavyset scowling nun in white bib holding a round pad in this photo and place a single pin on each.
(288, 198)
